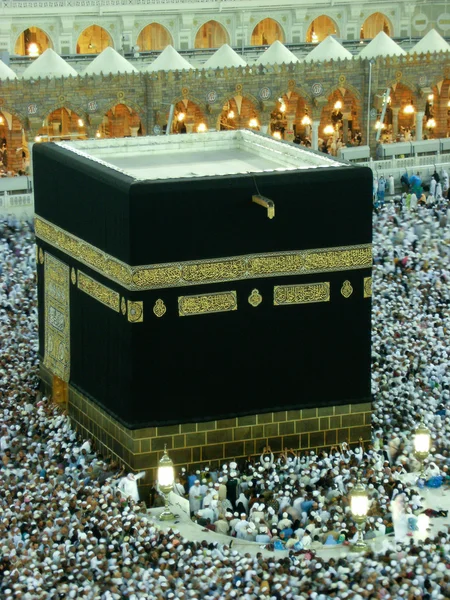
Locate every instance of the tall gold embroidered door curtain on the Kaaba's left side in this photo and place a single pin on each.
(57, 317)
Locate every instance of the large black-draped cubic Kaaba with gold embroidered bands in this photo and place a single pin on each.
(203, 278)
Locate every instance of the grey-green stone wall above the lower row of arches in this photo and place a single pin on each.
(150, 95)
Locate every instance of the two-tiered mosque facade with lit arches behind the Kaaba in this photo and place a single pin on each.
(289, 97)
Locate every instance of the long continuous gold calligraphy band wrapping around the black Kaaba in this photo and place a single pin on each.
(236, 268)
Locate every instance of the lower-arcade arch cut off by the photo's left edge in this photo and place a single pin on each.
(13, 142)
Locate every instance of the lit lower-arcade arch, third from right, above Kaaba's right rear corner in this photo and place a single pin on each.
(342, 115)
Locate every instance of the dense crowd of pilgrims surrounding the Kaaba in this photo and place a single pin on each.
(70, 527)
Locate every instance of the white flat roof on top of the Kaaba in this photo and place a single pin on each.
(199, 155)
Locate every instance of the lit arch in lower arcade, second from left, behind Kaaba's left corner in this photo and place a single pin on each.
(62, 123)
